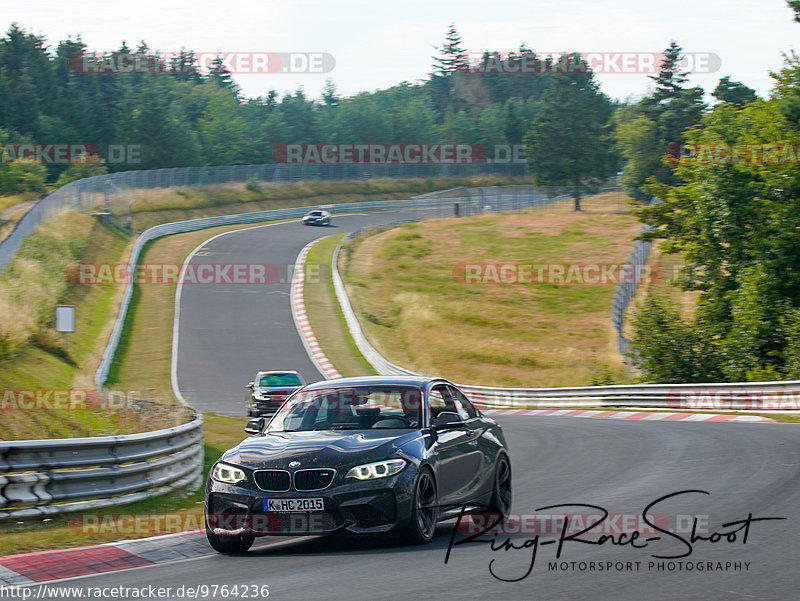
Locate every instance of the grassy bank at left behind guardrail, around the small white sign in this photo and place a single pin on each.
(36, 357)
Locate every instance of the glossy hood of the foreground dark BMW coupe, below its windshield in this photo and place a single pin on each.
(317, 448)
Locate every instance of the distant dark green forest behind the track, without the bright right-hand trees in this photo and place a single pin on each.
(178, 114)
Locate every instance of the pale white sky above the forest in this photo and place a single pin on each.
(374, 45)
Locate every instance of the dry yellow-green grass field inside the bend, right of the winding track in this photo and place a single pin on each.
(418, 310)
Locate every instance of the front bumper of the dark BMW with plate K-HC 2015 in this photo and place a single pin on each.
(358, 507)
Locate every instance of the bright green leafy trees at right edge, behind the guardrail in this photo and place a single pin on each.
(736, 226)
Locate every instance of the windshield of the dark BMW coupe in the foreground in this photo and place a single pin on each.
(352, 408)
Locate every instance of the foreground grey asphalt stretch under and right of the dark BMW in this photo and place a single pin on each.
(621, 466)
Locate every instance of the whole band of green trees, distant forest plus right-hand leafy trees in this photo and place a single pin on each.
(724, 164)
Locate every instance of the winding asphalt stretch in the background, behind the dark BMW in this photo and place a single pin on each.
(229, 332)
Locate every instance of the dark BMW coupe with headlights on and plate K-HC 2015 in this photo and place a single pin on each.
(359, 455)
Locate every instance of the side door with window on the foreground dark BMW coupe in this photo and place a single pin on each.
(454, 451)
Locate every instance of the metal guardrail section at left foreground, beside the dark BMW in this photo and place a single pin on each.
(40, 478)
